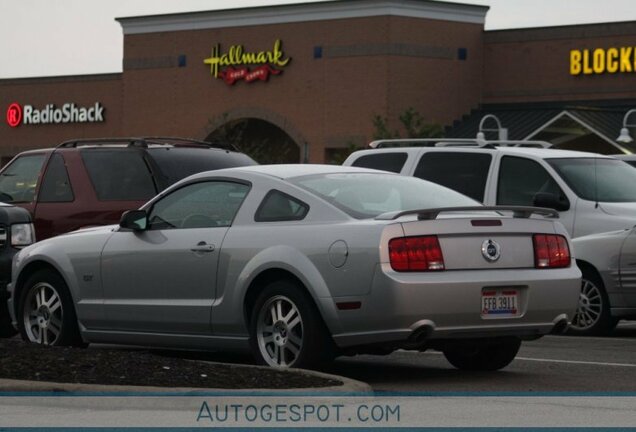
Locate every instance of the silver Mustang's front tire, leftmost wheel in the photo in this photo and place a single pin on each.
(50, 315)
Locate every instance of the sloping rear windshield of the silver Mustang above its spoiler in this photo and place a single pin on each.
(367, 195)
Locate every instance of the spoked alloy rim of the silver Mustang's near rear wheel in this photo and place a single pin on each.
(279, 332)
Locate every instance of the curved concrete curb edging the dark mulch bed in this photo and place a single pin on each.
(348, 386)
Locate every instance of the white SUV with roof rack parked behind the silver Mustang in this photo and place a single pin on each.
(592, 193)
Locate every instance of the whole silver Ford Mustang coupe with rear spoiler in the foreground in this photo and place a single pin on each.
(301, 263)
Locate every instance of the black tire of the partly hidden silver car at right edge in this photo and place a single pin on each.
(592, 316)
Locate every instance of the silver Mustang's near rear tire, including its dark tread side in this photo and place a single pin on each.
(315, 347)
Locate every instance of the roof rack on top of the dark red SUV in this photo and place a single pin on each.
(144, 141)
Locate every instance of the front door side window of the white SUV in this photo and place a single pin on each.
(521, 179)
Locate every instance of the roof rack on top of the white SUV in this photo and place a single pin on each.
(455, 142)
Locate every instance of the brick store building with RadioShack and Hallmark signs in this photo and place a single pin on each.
(302, 82)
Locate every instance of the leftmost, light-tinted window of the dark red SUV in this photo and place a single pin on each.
(18, 180)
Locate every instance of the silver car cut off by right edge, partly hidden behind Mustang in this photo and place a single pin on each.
(608, 288)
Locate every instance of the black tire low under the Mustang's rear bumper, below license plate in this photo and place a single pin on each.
(489, 355)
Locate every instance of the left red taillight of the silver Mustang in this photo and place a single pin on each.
(421, 253)
